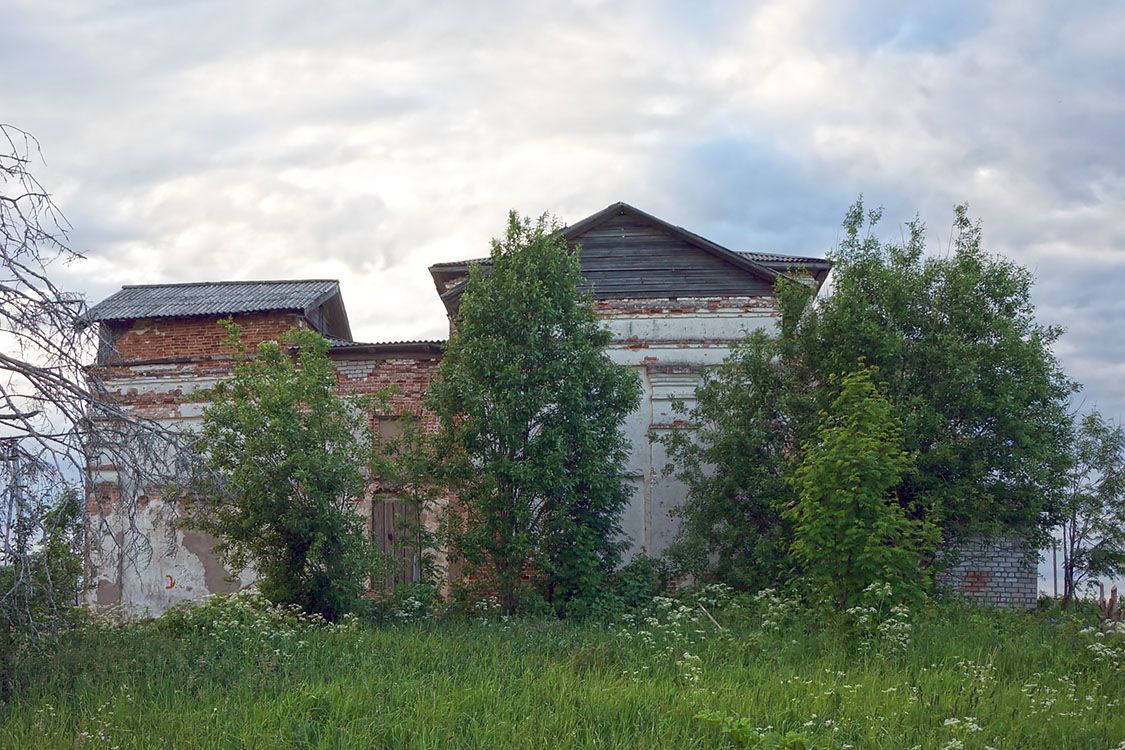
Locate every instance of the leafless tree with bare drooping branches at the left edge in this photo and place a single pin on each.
(59, 427)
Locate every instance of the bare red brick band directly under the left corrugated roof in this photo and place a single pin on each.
(190, 338)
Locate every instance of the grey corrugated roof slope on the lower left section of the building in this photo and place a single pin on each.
(213, 299)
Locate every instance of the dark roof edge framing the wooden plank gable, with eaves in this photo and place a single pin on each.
(449, 277)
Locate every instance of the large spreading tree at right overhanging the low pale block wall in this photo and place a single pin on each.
(970, 372)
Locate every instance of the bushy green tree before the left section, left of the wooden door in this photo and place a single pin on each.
(285, 457)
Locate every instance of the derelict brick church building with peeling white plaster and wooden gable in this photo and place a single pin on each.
(673, 302)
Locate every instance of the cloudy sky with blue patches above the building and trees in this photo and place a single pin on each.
(205, 140)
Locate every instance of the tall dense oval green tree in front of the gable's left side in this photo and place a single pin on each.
(530, 410)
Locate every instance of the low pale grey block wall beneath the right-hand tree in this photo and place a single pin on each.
(1002, 573)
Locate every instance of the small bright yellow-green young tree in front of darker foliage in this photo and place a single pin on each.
(850, 529)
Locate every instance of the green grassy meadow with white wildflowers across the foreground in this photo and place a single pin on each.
(734, 673)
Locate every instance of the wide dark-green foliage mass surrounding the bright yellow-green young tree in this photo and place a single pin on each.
(959, 356)
